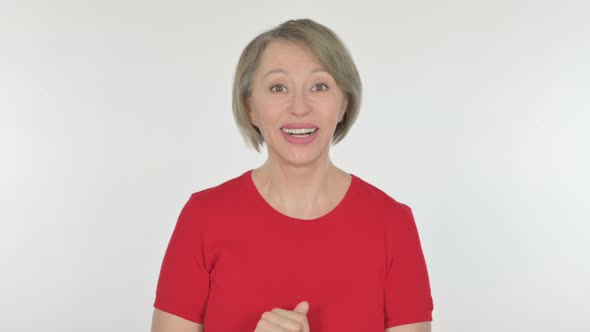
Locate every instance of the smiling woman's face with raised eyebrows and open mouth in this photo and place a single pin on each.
(295, 103)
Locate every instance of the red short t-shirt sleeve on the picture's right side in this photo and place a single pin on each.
(407, 290)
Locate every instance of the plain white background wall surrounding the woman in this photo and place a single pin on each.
(475, 113)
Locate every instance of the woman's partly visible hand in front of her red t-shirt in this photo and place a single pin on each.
(281, 320)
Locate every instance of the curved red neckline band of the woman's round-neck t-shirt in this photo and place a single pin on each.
(327, 217)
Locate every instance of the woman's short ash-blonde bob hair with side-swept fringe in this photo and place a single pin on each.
(330, 52)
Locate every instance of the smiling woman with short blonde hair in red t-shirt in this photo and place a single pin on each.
(296, 244)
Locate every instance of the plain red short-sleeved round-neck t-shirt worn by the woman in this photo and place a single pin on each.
(232, 256)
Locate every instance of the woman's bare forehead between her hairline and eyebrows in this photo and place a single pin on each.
(280, 54)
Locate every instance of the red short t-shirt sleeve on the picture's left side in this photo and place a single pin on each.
(183, 284)
